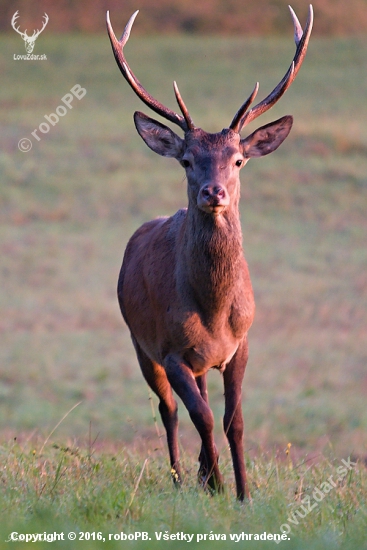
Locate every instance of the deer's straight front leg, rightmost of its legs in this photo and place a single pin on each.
(233, 420)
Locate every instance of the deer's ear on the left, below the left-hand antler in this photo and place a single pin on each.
(158, 137)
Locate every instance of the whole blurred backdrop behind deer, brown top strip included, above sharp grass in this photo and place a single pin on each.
(70, 202)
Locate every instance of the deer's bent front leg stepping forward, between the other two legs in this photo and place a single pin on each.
(183, 382)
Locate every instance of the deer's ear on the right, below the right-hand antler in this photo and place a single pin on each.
(267, 138)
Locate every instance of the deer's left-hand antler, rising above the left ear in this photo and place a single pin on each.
(184, 122)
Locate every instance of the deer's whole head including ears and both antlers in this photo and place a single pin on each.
(212, 161)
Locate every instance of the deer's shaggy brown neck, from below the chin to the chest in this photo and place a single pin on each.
(213, 257)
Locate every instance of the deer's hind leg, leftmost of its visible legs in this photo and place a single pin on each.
(156, 377)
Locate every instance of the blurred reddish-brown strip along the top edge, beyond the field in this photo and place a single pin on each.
(334, 17)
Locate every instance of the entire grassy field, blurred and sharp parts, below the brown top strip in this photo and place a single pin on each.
(68, 207)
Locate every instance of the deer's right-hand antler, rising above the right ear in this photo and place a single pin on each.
(301, 38)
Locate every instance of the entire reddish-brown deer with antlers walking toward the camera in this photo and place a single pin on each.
(184, 287)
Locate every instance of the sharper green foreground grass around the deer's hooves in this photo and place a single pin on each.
(113, 491)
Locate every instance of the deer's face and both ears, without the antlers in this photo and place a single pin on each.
(212, 161)
